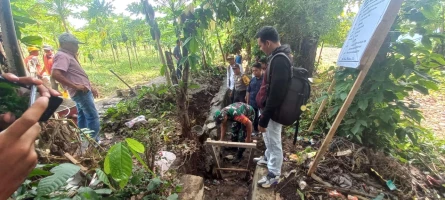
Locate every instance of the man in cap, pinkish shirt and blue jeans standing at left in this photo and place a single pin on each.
(68, 72)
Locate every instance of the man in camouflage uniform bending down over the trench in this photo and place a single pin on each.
(242, 116)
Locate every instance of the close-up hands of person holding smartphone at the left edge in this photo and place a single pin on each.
(17, 136)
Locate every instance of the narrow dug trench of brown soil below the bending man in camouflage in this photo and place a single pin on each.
(232, 185)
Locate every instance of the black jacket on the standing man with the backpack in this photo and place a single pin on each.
(280, 69)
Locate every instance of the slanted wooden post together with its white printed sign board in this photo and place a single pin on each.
(369, 30)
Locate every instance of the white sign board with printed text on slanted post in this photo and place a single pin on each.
(363, 29)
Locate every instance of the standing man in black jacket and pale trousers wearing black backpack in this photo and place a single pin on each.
(283, 93)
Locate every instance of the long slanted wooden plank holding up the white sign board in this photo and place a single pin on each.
(366, 62)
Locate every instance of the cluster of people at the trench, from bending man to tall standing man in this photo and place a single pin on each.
(254, 100)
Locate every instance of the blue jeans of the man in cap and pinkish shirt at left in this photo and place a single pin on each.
(87, 116)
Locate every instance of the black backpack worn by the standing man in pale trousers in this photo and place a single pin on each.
(298, 93)
